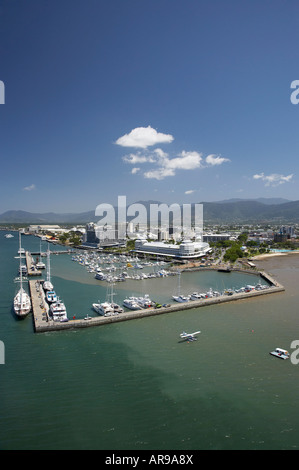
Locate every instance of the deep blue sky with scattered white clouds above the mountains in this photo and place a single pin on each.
(177, 101)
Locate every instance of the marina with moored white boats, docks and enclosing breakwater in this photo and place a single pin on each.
(50, 312)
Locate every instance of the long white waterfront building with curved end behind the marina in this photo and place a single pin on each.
(186, 250)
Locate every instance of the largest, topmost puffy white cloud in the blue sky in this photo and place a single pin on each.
(143, 137)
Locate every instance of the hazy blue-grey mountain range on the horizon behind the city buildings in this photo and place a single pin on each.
(228, 211)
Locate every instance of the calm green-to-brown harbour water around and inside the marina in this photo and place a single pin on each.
(134, 385)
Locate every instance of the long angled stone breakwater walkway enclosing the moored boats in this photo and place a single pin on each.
(43, 322)
